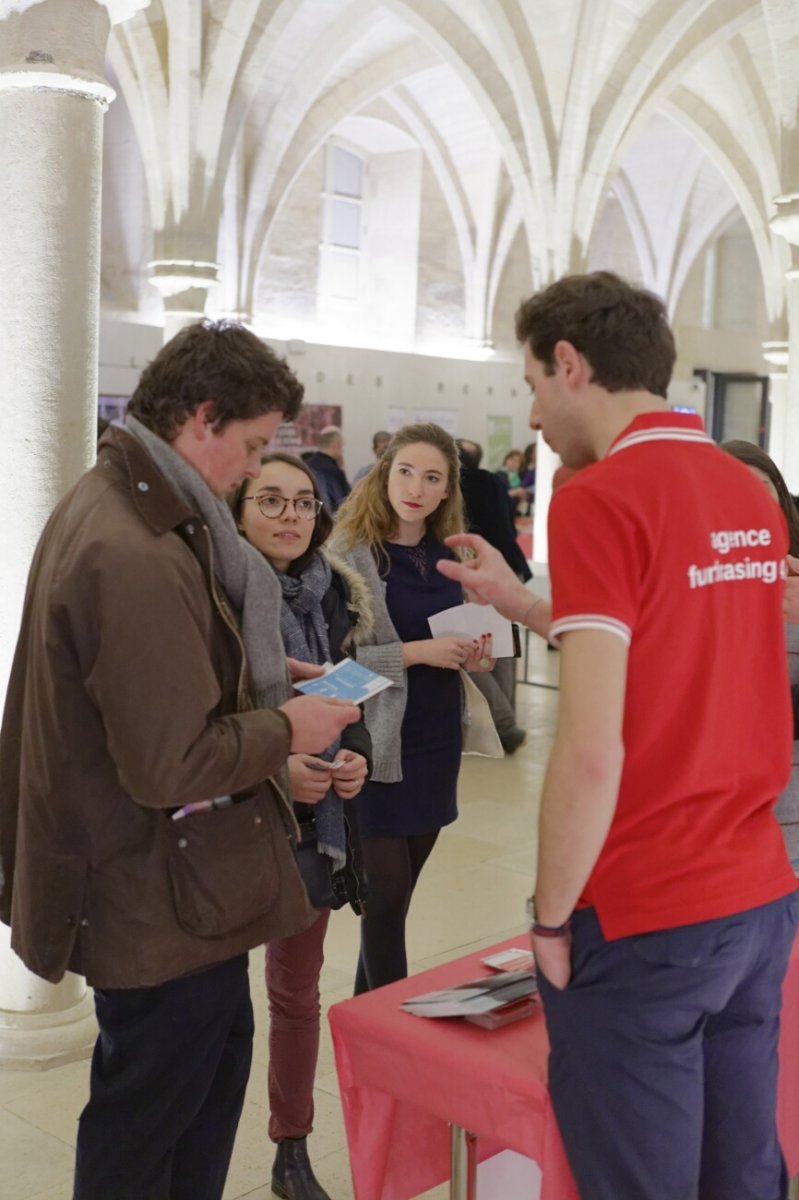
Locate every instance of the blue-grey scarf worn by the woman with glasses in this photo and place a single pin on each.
(305, 637)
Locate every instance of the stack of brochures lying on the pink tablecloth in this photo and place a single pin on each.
(491, 1001)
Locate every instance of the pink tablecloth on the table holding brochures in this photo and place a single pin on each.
(404, 1079)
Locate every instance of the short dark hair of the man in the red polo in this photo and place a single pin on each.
(621, 329)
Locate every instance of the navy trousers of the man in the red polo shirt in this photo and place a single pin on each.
(664, 1060)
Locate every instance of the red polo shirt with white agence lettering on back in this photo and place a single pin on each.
(674, 547)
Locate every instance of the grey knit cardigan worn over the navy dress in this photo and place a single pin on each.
(381, 650)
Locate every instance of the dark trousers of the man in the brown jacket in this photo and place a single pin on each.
(169, 1079)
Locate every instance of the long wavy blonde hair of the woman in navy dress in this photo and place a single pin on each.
(367, 517)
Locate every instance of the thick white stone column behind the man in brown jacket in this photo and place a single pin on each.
(53, 97)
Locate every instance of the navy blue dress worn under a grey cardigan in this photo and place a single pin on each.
(426, 799)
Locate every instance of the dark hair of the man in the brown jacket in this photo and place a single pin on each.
(215, 361)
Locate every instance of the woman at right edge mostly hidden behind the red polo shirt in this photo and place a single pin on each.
(766, 470)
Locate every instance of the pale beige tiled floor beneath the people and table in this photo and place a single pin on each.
(471, 895)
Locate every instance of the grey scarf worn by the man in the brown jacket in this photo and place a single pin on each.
(247, 578)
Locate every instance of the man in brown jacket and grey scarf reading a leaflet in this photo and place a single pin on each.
(145, 839)
